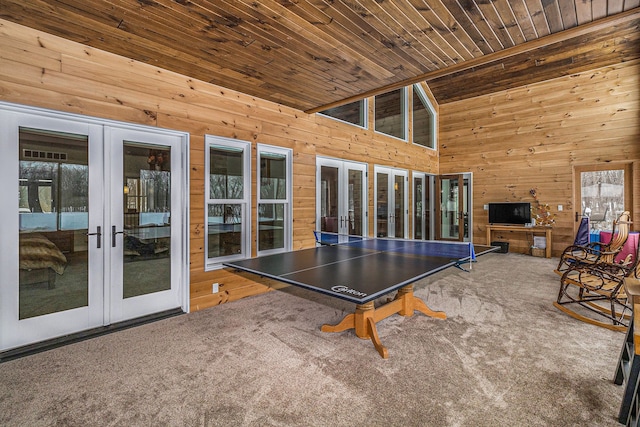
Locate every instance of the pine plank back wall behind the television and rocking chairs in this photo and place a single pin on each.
(533, 137)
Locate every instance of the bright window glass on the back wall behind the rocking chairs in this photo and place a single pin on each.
(602, 195)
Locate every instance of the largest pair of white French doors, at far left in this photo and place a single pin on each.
(95, 235)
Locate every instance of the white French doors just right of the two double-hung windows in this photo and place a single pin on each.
(341, 197)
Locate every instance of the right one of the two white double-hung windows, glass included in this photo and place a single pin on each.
(274, 199)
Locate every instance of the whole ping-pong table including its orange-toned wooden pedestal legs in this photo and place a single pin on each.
(361, 270)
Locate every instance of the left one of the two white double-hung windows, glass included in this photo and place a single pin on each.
(228, 190)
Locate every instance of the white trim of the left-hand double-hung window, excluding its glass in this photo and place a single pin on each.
(213, 141)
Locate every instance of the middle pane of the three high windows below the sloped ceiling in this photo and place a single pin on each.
(391, 113)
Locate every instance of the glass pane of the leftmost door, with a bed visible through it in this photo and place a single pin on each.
(53, 216)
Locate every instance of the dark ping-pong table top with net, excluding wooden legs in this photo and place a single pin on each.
(360, 269)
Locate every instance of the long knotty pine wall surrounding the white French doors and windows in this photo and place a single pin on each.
(41, 70)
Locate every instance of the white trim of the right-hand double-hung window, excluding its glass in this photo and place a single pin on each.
(288, 234)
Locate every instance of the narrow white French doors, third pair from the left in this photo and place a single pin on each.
(391, 203)
